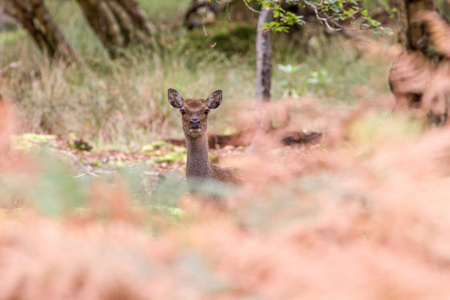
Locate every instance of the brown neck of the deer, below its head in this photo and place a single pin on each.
(198, 164)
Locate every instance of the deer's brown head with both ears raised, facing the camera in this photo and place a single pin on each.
(194, 112)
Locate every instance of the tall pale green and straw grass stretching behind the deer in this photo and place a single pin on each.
(124, 101)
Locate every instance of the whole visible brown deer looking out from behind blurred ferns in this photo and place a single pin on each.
(194, 119)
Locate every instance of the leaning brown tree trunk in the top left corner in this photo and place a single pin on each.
(36, 19)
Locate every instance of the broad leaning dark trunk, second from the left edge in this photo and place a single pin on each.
(118, 23)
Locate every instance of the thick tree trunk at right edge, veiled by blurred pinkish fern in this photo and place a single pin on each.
(419, 78)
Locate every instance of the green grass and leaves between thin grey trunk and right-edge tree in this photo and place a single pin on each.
(322, 75)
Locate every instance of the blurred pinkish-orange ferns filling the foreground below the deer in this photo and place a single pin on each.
(303, 214)
